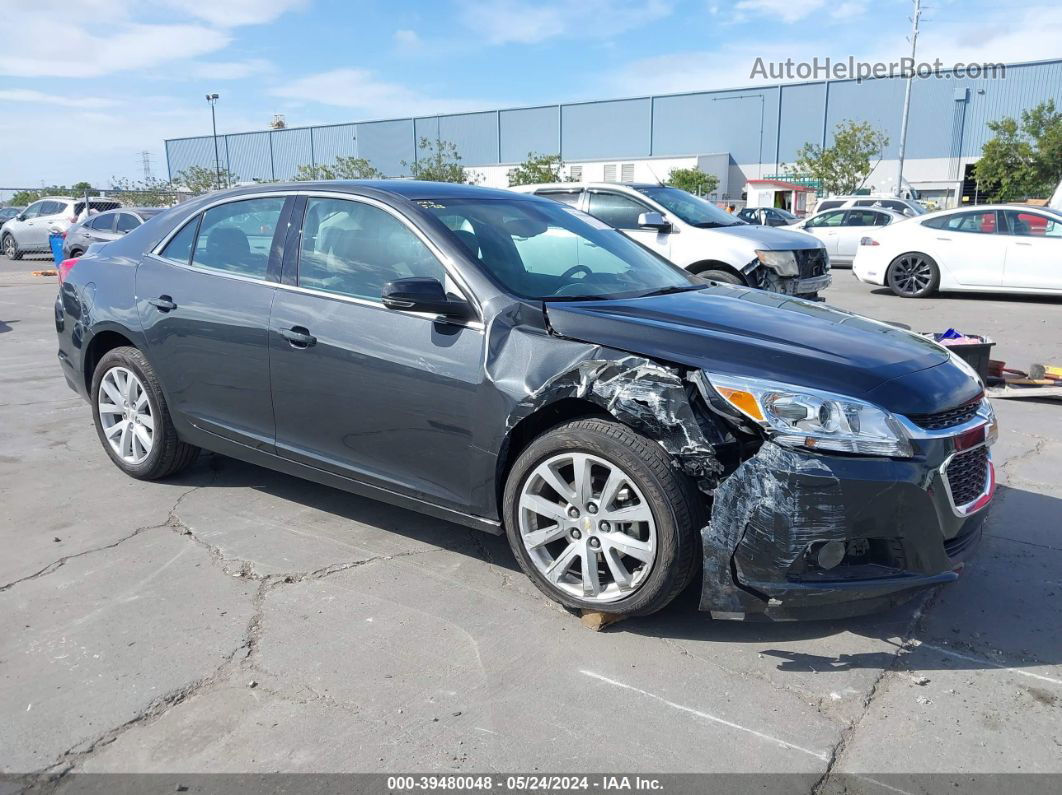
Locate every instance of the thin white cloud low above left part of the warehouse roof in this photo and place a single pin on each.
(365, 92)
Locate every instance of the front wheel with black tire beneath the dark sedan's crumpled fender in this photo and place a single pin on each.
(599, 520)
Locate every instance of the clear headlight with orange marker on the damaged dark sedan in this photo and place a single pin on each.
(796, 417)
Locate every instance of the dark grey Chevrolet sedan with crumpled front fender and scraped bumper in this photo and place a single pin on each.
(505, 362)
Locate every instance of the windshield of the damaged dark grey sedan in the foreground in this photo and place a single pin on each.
(546, 251)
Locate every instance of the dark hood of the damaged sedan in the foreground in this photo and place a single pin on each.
(749, 333)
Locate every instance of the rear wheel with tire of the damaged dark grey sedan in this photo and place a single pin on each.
(132, 419)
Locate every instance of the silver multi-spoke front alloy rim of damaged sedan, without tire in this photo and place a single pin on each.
(588, 528)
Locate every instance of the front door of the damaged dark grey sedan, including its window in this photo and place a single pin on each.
(379, 395)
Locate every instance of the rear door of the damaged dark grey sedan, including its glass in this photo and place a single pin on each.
(204, 303)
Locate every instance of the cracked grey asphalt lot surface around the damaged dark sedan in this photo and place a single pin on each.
(238, 620)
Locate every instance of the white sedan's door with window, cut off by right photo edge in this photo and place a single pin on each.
(1034, 251)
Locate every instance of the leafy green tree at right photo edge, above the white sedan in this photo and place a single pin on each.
(1023, 160)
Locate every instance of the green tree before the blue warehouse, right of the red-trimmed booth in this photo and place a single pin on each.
(844, 167)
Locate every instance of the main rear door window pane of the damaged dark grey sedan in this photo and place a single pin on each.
(236, 237)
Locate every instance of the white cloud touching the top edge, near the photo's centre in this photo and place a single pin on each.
(527, 22)
